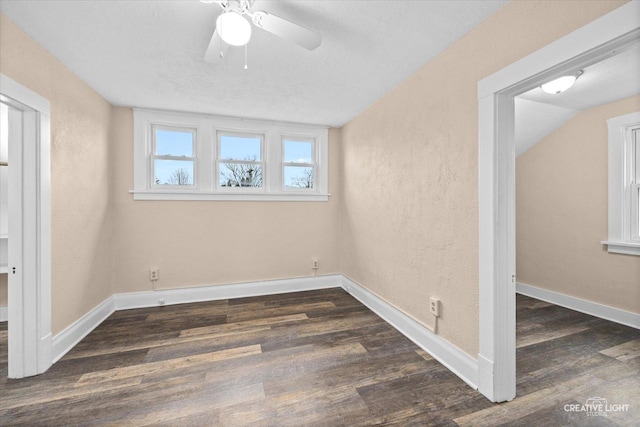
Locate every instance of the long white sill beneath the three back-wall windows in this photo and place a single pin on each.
(250, 197)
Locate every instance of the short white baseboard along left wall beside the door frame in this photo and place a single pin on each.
(74, 333)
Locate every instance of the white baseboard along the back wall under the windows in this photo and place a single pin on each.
(217, 292)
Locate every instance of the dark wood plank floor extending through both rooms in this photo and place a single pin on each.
(316, 358)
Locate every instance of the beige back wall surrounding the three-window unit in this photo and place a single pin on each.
(213, 242)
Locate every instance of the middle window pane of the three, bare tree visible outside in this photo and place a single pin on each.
(240, 161)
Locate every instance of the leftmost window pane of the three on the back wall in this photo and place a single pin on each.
(173, 159)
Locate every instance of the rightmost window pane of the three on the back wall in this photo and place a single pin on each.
(299, 166)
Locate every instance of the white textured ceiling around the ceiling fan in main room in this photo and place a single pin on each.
(150, 53)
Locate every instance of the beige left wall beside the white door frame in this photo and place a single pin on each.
(81, 214)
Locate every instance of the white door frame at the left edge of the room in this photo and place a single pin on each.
(29, 254)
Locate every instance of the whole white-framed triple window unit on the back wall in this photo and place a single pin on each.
(197, 157)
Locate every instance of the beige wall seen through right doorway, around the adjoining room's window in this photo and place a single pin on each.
(561, 204)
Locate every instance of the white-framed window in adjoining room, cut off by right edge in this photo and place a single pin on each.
(623, 186)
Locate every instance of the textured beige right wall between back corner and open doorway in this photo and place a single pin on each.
(410, 211)
